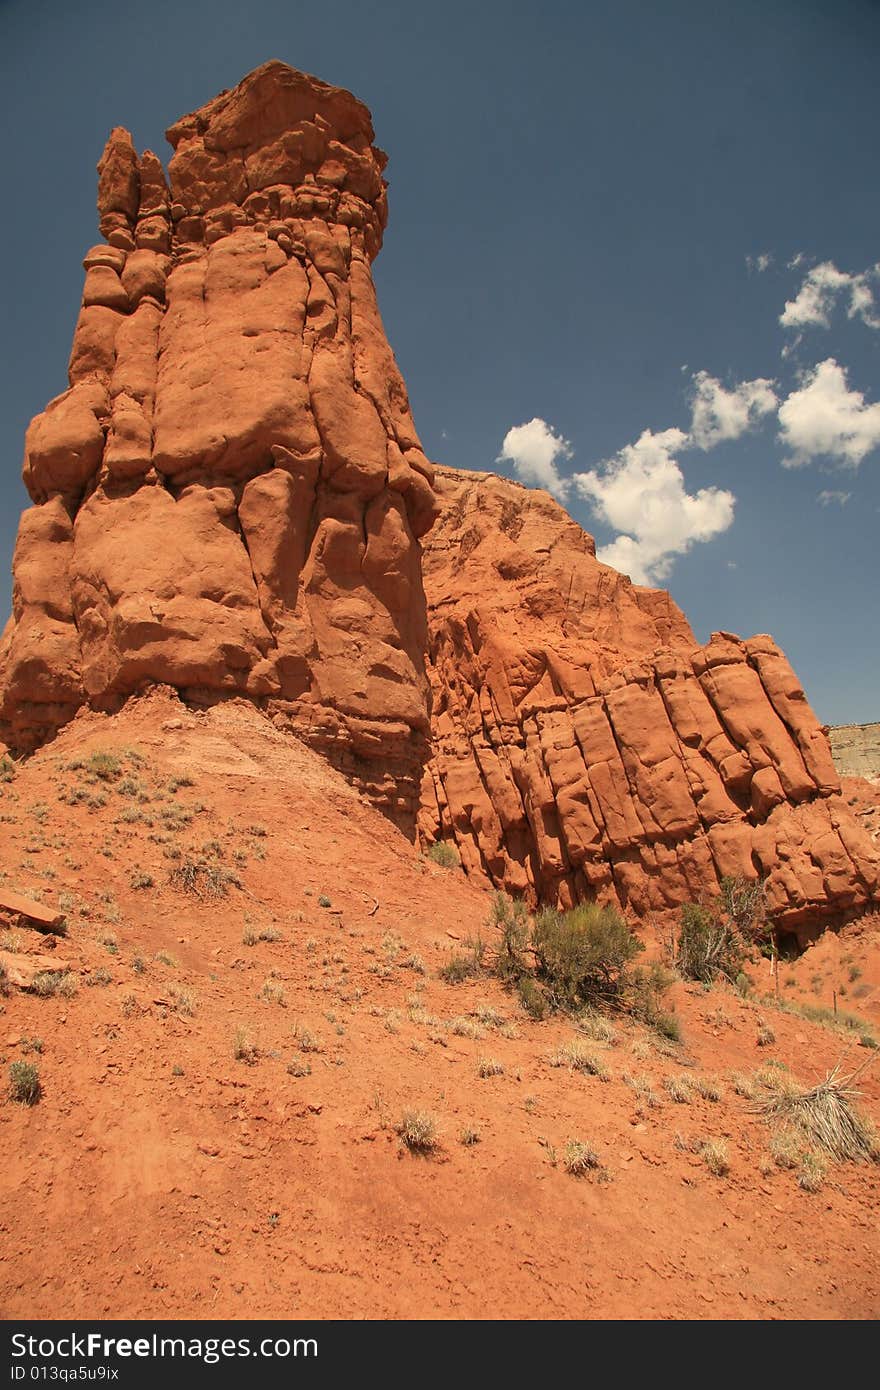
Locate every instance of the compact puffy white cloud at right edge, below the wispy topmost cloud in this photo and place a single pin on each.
(825, 419)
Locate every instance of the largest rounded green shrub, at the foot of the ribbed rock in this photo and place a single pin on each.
(583, 956)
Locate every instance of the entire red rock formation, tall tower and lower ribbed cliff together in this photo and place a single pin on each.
(230, 498)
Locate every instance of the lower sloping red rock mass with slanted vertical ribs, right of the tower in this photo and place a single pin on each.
(586, 746)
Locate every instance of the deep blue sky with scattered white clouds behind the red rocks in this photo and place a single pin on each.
(598, 216)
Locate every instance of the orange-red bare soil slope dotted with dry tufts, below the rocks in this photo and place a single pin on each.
(159, 1177)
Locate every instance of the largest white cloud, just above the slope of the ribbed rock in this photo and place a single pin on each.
(642, 494)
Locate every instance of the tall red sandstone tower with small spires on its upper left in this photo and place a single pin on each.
(229, 497)
